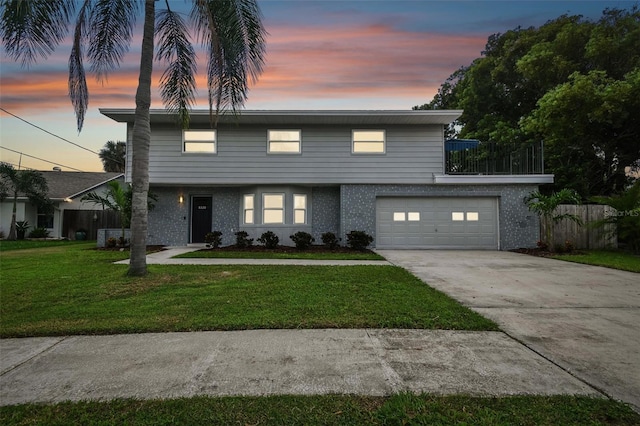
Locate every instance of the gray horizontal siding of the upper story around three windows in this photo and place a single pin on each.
(413, 155)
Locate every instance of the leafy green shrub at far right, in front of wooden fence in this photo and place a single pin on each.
(627, 217)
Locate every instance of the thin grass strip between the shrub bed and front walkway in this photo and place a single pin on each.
(266, 254)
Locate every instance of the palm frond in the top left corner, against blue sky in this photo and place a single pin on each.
(33, 28)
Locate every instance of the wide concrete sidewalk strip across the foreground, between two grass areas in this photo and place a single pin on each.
(267, 362)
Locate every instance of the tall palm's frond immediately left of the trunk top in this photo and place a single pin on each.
(111, 24)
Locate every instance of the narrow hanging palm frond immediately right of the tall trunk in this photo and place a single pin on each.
(177, 84)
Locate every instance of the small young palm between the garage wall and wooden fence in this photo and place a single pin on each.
(545, 206)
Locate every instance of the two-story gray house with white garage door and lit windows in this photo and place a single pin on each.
(383, 172)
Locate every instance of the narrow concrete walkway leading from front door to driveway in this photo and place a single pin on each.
(165, 257)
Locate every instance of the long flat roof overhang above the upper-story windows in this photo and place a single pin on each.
(276, 117)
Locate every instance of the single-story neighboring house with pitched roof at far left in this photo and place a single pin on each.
(69, 214)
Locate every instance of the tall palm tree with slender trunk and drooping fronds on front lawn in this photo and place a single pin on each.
(231, 33)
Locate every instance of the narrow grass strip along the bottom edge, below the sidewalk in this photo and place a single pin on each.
(331, 410)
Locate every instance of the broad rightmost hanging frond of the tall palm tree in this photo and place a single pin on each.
(232, 33)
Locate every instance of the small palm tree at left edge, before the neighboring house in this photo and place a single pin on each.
(28, 182)
